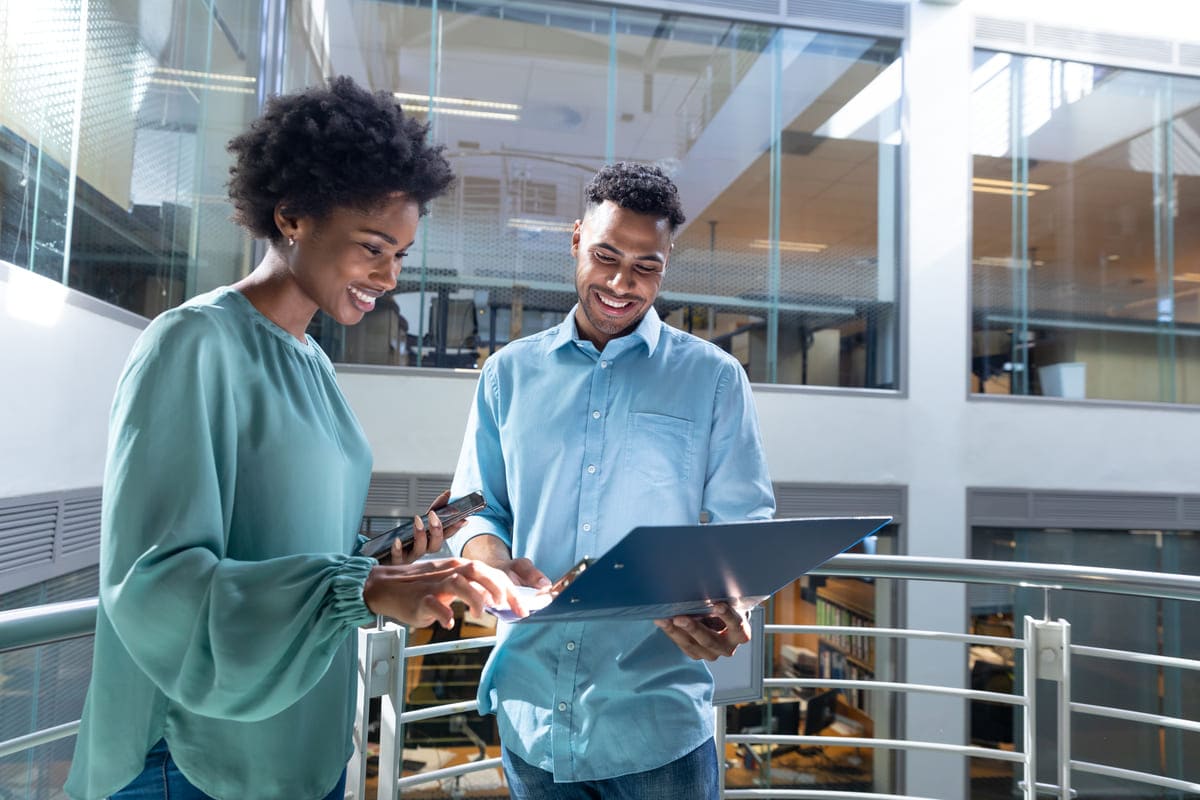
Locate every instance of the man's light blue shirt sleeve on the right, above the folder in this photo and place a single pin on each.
(737, 485)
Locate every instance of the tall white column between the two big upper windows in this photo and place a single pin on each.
(938, 188)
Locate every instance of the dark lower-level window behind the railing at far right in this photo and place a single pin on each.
(1115, 622)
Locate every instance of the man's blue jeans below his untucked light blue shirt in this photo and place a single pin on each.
(693, 778)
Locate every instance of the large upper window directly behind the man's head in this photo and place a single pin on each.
(773, 136)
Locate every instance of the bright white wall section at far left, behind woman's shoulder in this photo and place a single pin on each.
(61, 357)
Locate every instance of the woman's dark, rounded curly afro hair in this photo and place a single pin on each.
(327, 148)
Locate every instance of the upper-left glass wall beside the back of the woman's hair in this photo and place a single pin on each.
(129, 135)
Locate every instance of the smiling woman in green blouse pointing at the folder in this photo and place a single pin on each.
(236, 482)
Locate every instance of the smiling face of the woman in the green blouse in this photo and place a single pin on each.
(349, 260)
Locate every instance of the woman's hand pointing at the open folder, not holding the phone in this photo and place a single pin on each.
(421, 594)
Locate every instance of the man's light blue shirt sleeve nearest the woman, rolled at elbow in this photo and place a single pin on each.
(482, 468)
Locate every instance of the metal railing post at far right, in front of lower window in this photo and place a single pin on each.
(1048, 658)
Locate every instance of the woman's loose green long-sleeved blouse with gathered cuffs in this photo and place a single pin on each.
(235, 489)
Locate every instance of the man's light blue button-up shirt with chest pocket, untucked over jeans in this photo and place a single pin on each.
(573, 449)
